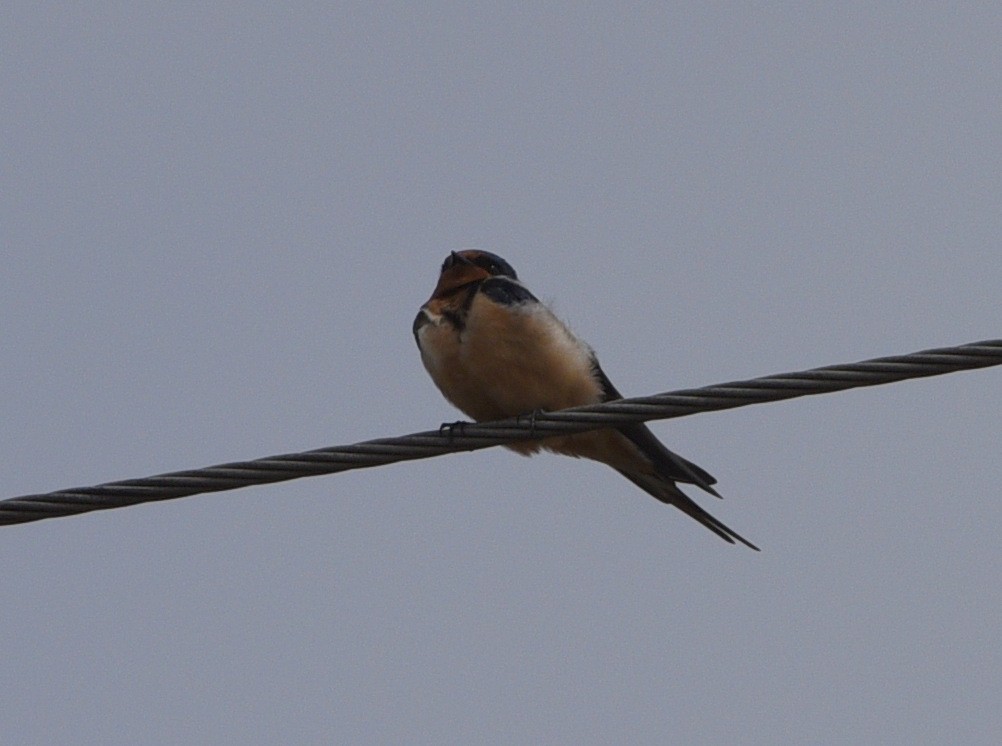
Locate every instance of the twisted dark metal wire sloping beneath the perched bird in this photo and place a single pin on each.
(470, 437)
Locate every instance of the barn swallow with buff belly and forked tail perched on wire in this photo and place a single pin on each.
(496, 352)
